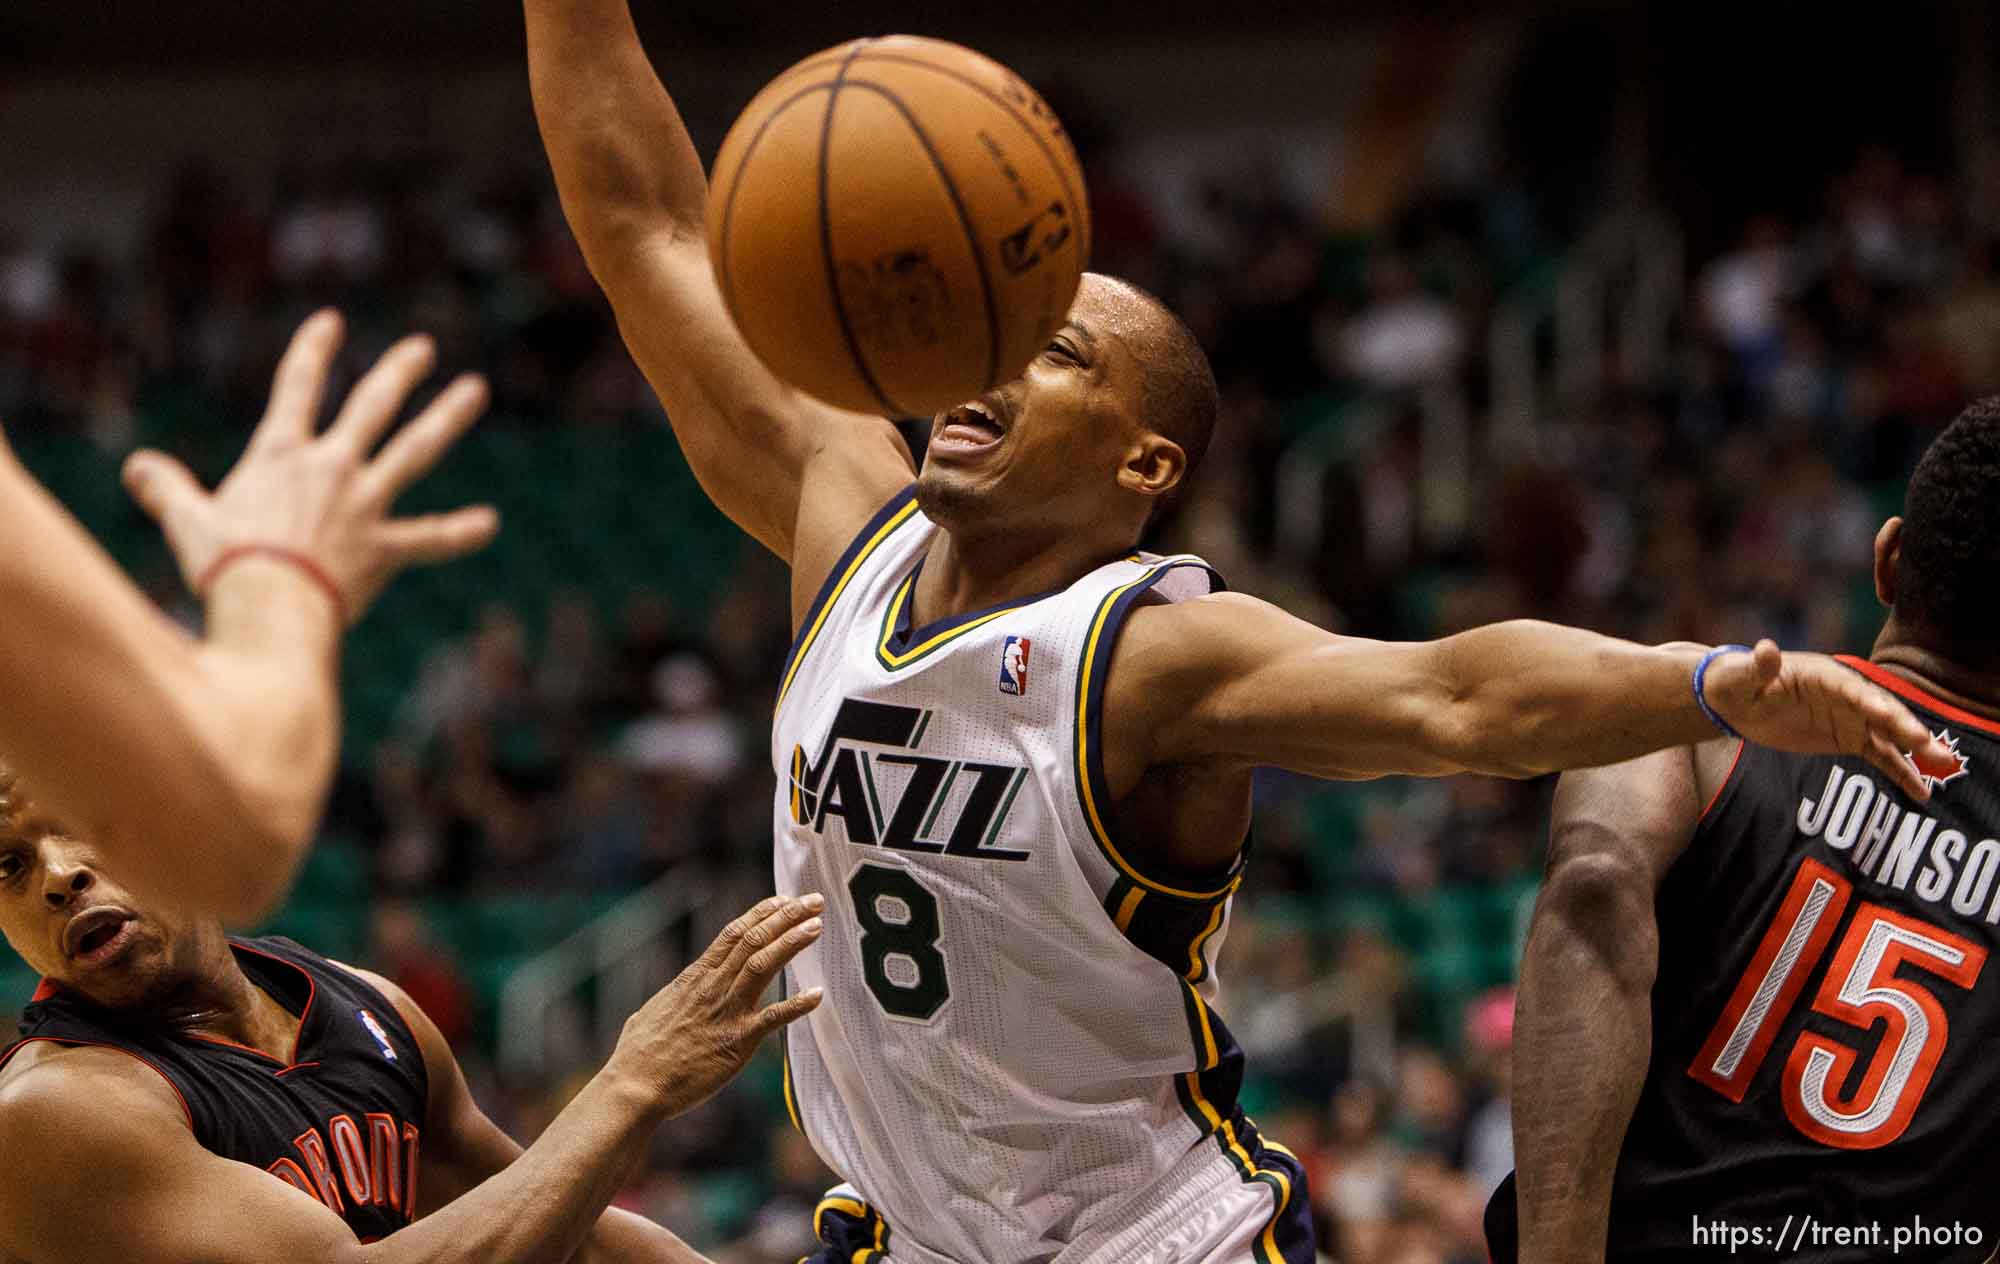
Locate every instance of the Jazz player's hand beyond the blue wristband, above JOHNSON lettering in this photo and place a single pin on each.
(1813, 705)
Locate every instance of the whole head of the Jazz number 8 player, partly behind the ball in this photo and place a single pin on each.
(1101, 431)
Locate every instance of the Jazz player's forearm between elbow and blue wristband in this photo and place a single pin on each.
(1523, 699)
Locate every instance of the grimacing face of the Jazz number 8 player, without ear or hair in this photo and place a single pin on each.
(1043, 453)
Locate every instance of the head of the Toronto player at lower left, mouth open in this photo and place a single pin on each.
(79, 927)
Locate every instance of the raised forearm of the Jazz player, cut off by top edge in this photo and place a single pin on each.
(621, 153)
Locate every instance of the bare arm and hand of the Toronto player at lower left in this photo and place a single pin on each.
(119, 1175)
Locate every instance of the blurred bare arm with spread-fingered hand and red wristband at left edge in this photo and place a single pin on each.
(203, 765)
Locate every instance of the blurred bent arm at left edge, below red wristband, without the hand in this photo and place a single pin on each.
(197, 765)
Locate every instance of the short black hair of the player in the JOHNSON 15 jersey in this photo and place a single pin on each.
(1949, 571)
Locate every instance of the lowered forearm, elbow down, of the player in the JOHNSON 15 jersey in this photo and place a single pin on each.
(1581, 1047)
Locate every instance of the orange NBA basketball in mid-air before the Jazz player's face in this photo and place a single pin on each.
(897, 225)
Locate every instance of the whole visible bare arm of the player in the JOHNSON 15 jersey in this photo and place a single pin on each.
(1583, 1031)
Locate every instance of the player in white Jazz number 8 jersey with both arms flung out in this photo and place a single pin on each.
(1015, 755)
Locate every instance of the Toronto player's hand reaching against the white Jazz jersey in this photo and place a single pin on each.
(699, 1031)
